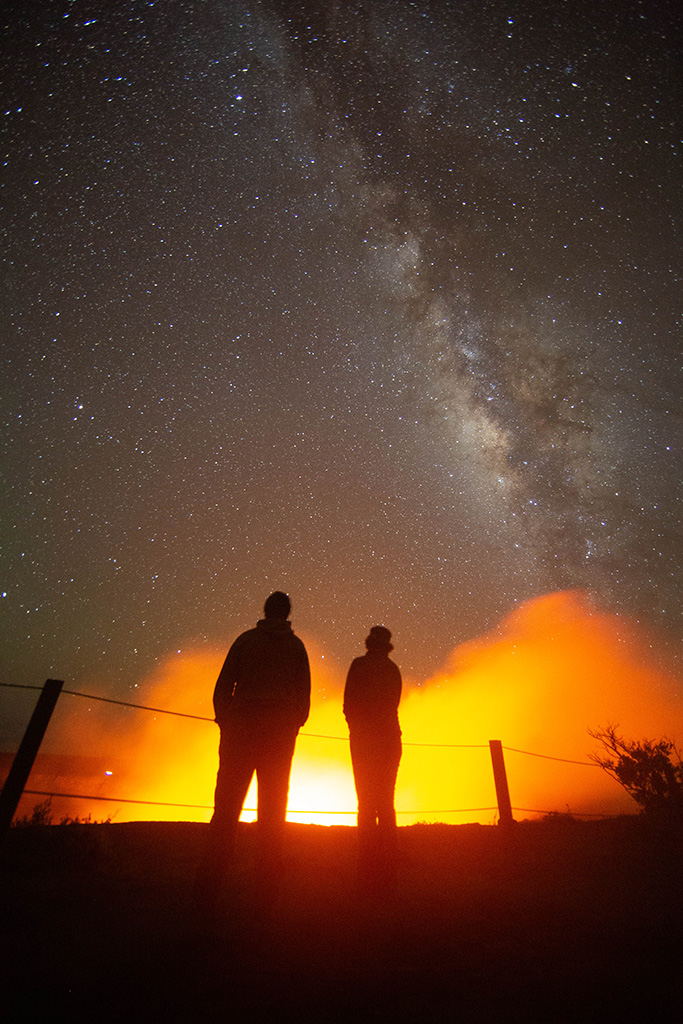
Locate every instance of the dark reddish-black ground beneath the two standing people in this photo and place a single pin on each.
(553, 922)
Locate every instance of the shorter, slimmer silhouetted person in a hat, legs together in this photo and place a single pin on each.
(371, 707)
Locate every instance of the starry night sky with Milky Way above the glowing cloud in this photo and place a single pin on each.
(373, 303)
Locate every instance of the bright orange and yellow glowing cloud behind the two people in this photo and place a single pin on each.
(556, 669)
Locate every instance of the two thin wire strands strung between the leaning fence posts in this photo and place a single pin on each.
(304, 733)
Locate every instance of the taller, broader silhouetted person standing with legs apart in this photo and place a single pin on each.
(262, 700)
